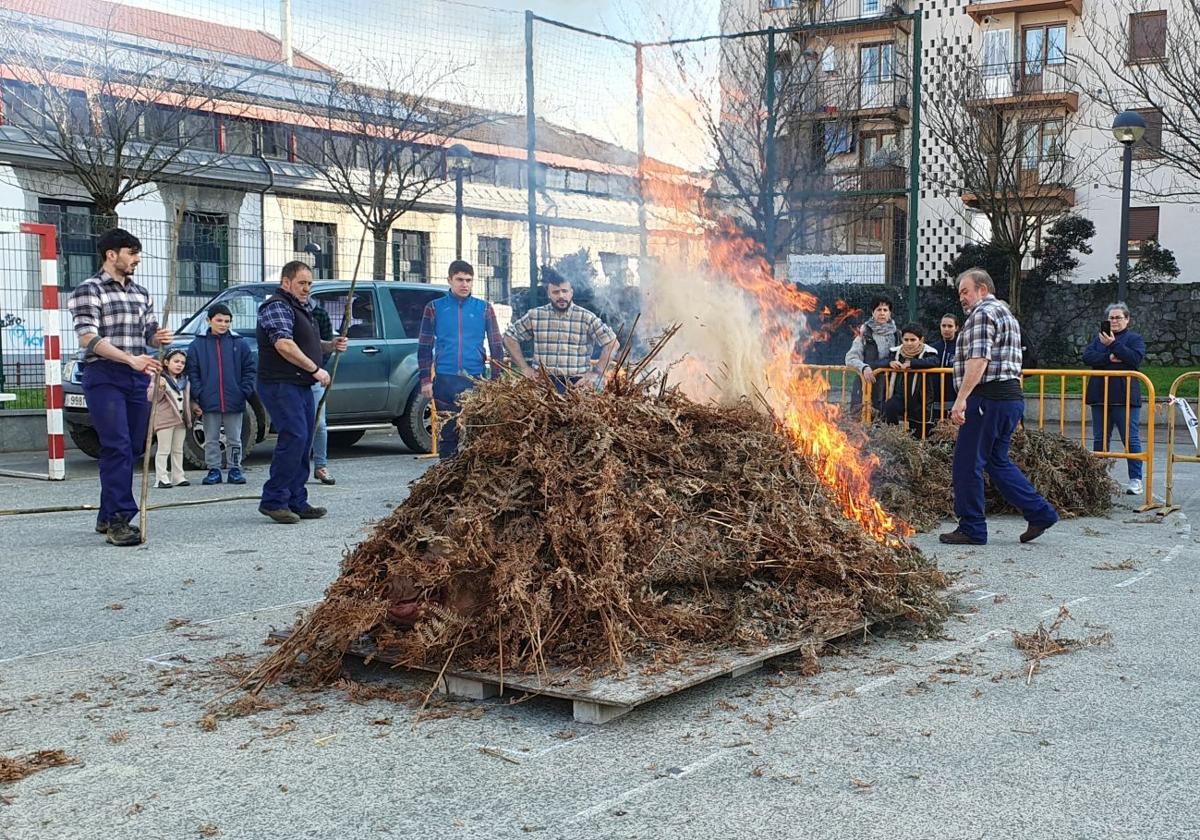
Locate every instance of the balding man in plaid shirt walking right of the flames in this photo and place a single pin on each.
(989, 405)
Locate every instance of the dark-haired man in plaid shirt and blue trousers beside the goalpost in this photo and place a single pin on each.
(115, 322)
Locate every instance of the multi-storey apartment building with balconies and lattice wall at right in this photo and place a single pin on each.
(1034, 67)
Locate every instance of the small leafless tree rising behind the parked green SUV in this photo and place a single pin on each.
(381, 147)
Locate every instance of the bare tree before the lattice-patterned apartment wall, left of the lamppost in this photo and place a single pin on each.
(1004, 153)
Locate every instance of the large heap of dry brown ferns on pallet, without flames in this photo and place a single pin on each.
(583, 530)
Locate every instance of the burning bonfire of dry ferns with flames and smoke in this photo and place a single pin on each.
(709, 499)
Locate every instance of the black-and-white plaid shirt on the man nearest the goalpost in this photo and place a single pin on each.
(122, 314)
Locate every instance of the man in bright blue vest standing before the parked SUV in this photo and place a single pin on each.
(451, 352)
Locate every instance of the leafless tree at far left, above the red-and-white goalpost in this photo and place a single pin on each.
(118, 118)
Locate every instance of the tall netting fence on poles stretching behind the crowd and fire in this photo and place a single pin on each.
(597, 155)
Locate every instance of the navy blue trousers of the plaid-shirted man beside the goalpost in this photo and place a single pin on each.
(121, 411)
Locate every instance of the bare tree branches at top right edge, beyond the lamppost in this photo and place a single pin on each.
(1148, 58)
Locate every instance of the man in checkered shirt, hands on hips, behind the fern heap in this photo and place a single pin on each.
(563, 338)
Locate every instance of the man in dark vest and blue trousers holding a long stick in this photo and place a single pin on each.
(290, 356)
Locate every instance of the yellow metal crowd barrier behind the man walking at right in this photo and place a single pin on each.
(935, 405)
